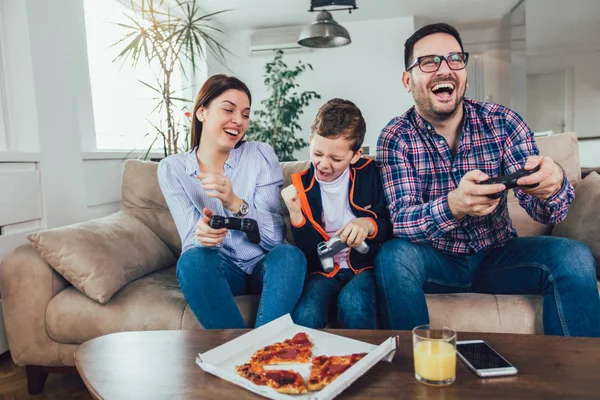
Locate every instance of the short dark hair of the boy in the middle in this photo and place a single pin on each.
(340, 118)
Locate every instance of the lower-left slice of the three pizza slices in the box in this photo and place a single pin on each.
(283, 381)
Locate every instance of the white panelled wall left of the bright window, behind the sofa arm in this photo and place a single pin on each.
(46, 180)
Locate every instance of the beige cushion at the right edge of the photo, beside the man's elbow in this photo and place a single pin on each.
(583, 220)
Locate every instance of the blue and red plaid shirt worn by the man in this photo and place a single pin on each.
(418, 171)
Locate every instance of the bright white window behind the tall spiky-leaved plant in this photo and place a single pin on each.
(122, 105)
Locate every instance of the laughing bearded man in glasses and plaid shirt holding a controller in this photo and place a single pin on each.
(452, 237)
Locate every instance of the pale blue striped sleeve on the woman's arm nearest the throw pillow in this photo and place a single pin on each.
(179, 203)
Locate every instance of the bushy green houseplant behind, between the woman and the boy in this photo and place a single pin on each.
(277, 122)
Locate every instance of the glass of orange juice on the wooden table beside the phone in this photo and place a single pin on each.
(434, 349)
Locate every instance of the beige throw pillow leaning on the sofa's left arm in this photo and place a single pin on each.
(101, 256)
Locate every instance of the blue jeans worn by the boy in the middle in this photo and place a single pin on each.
(355, 295)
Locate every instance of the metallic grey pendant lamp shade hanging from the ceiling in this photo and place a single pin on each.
(324, 32)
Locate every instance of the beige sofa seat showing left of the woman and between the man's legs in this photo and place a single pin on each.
(155, 302)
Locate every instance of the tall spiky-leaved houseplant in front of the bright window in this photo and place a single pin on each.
(168, 35)
